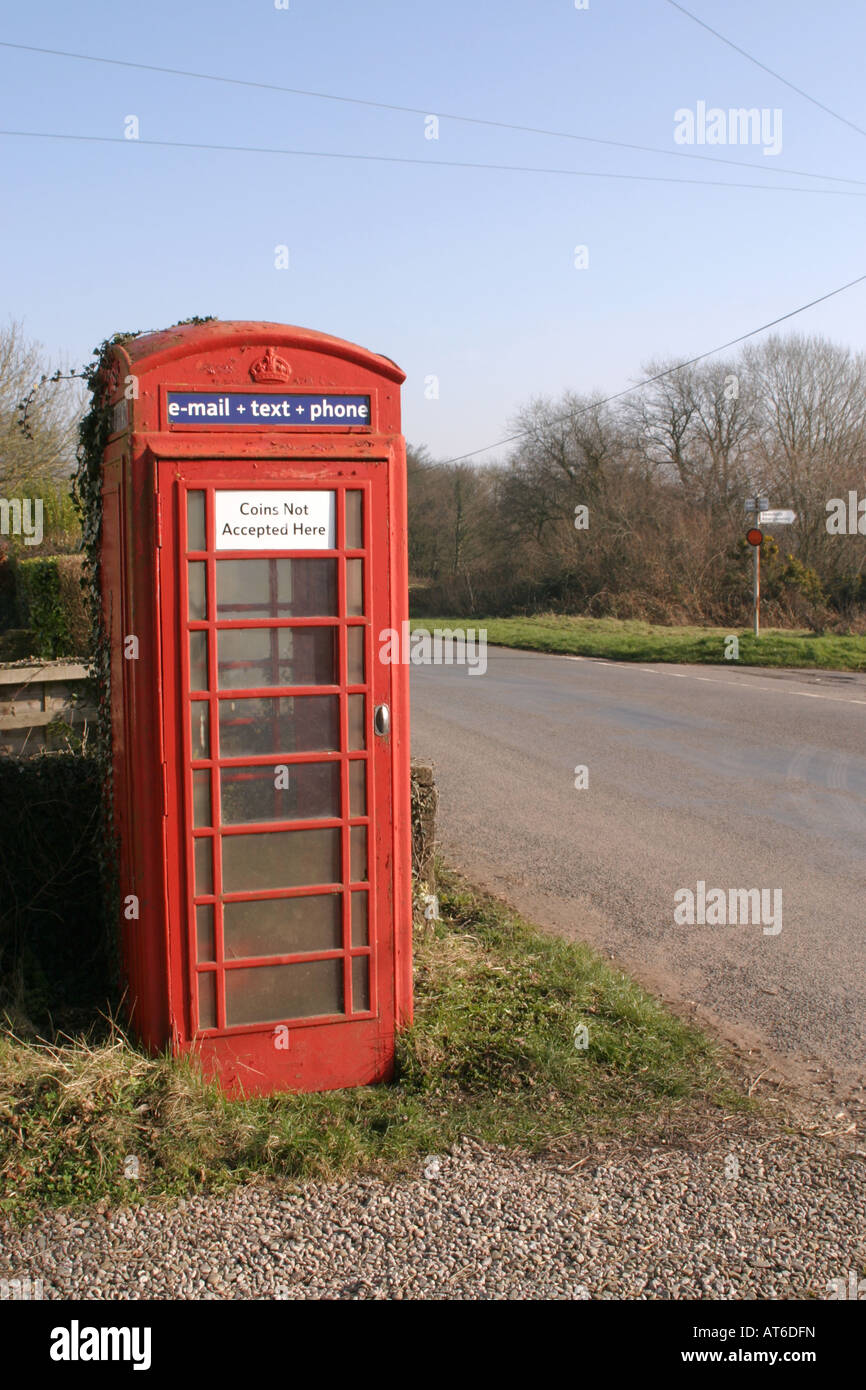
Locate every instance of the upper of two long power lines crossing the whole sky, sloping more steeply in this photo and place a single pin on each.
(418, 111)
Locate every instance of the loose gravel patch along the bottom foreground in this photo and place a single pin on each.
(754, 1220)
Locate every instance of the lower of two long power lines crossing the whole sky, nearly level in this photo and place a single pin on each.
(437, 163)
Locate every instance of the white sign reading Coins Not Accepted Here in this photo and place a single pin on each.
(286, 521)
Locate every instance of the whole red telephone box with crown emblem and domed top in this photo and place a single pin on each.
(254, 551)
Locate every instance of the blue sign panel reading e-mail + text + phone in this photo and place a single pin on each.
(251, 408)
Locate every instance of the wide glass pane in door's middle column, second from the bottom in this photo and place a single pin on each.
(283, 926)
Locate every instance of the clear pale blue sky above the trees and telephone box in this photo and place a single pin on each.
(464, 275)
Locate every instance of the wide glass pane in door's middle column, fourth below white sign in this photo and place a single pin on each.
(288, 792)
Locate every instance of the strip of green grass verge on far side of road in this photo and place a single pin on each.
(633, 641)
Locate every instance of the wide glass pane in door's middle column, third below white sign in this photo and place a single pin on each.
(288, 725)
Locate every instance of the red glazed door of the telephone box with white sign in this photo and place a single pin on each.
(279, 771)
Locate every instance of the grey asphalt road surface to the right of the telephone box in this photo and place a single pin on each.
(733, 778)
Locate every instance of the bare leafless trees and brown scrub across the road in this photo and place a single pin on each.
(662, 477)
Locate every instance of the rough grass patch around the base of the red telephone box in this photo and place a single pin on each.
(491, 1057)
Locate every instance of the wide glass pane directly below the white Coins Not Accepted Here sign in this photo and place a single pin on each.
(277, 589)
